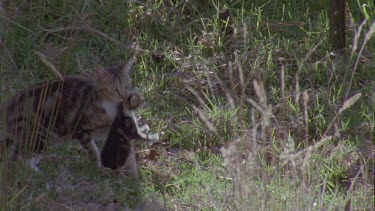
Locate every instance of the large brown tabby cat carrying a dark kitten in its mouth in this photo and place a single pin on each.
(74, 108)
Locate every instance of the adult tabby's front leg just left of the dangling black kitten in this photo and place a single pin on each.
(88, 145)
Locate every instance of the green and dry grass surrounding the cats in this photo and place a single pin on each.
(254, 109)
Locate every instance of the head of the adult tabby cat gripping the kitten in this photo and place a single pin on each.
(114, 82)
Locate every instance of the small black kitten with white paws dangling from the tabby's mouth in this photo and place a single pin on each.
(118, 150)
